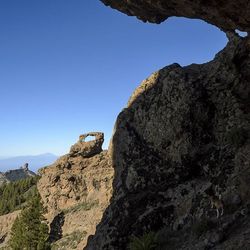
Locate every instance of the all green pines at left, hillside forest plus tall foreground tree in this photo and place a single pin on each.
(29, 231)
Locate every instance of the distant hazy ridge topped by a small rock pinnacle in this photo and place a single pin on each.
(16, 174)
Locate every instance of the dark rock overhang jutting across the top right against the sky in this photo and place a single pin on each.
(226, 14)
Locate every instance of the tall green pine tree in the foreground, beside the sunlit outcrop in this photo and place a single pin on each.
(29, 230)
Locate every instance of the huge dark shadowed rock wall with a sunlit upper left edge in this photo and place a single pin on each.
(184, 135)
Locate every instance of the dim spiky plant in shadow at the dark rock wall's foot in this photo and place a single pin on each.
(148, 241)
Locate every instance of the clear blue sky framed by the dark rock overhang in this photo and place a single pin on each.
(69, 67)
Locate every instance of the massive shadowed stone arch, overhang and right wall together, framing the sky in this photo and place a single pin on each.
(174, 132)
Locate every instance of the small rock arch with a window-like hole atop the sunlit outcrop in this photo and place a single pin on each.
(88, 149)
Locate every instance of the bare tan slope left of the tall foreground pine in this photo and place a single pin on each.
(6, 222)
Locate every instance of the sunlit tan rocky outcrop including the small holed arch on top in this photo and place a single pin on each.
(76, 190)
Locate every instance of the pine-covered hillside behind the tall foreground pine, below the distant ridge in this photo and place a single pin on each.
(14, 195)
